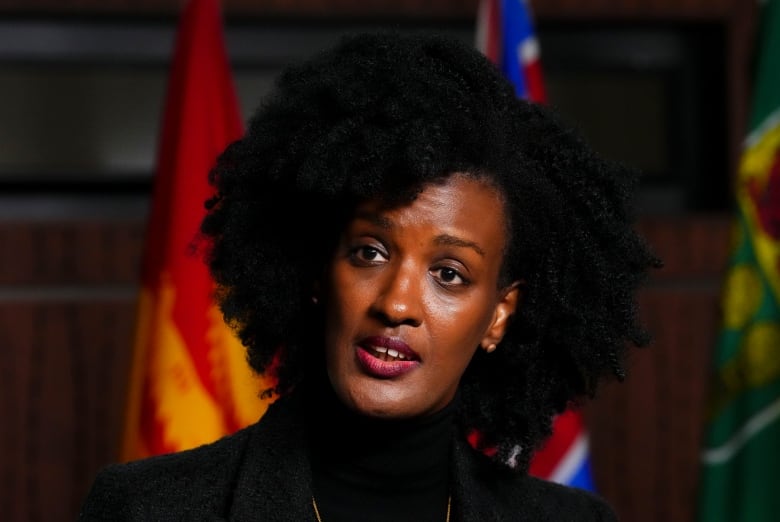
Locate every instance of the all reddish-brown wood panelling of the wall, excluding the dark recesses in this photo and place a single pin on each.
(68, 289)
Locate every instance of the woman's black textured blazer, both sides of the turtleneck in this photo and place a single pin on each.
(262, 473)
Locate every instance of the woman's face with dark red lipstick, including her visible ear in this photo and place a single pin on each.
(411, 294)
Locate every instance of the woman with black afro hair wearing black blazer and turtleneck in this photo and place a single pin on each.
(431, 269)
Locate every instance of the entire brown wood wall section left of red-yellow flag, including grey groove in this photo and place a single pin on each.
(67, 305)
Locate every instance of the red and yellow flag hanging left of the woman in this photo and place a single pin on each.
(189, 382)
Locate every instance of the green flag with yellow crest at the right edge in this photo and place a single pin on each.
(740, 480)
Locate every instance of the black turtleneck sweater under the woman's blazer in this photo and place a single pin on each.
(377, 470)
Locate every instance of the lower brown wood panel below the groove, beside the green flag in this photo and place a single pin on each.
(645, 432)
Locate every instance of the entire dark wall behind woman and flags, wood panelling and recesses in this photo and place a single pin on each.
(660, 84)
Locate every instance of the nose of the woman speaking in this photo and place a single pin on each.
(399, 297)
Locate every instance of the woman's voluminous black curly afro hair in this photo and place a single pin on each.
(380, 116)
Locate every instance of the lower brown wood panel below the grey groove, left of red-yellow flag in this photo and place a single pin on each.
(63, 367)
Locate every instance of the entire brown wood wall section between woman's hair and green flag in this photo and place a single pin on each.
(646, 432)
